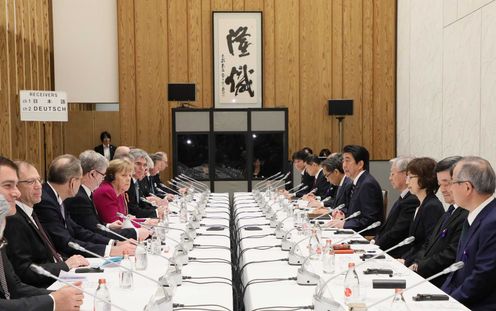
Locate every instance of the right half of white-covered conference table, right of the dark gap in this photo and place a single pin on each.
(267, 270)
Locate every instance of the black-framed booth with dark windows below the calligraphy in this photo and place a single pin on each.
(229, 145)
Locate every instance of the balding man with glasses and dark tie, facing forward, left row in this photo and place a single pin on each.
(28, 241)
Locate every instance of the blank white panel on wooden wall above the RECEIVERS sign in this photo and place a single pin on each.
(85, 50)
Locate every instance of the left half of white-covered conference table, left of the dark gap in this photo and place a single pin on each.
(207, 277)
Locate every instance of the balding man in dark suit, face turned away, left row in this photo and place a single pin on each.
(64, 179)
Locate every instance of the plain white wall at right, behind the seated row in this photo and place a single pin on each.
(446, 96)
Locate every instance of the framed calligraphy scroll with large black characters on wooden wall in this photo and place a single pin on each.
(237, 59)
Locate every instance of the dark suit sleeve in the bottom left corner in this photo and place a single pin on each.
(23, 297)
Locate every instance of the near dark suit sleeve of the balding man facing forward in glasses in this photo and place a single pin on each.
(20, 251)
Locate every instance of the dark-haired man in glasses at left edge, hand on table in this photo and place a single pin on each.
(15, 295)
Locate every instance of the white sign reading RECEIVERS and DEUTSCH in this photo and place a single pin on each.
(43, 106)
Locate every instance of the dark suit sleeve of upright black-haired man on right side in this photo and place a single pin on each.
(369, 201)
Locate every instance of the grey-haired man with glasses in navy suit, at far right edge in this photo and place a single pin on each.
(473, 184)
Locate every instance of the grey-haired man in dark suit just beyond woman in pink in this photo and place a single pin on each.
(135, 195)
